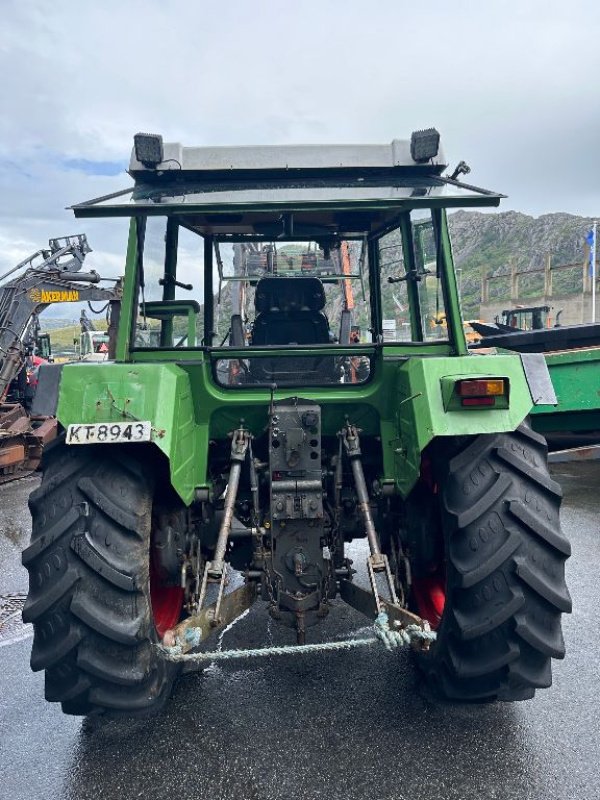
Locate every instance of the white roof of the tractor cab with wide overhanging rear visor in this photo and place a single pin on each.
(289, 191)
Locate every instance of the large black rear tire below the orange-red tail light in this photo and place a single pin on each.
(502, 580)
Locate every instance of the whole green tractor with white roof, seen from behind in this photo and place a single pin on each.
(258, 426)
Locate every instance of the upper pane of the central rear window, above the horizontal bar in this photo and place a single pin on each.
(291, 294)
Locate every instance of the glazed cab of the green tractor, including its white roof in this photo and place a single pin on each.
(237, 251)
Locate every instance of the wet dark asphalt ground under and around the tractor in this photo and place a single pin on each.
(336, 726)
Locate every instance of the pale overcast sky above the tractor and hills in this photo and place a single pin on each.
(512, 85)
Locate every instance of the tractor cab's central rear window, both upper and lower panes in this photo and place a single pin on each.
(297, 296)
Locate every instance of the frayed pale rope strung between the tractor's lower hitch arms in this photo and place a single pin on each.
(391, 639)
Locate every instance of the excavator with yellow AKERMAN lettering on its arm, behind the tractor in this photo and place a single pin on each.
(48, 276)
